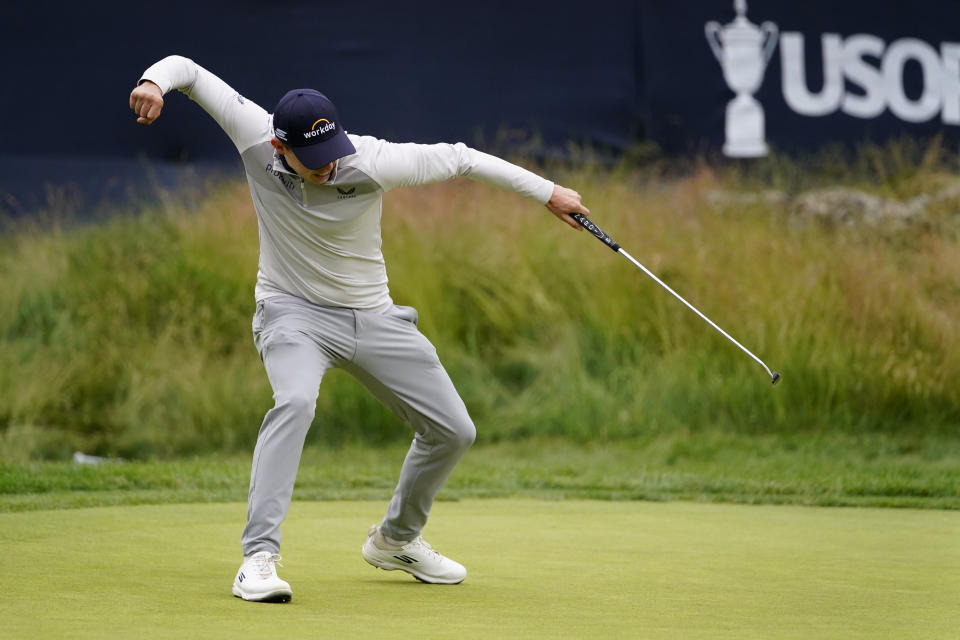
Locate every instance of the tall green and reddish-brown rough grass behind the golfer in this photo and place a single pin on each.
(131, 337)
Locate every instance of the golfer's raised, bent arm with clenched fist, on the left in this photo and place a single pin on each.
(244, 121)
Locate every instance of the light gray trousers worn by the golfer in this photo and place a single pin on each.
(299, 342)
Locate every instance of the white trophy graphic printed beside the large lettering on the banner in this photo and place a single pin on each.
(743, 49)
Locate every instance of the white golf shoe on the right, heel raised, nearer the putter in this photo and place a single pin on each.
(415, 557)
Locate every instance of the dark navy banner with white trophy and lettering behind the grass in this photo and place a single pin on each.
(726, 76)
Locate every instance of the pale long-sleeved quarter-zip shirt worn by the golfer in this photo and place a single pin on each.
(322, 242)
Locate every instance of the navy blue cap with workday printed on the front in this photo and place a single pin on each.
(308, 122)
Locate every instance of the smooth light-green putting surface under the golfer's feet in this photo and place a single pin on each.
(538, 569)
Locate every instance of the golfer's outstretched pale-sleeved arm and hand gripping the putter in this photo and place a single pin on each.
(401, 165)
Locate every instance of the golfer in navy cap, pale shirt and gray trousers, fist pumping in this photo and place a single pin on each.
(322, 301)
